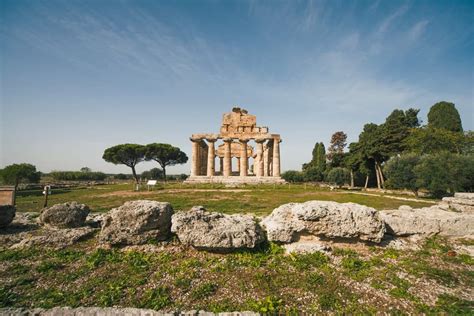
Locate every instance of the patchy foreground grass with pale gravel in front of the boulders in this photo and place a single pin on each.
(172, 277)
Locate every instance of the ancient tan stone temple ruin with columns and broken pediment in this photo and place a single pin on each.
(235, 160)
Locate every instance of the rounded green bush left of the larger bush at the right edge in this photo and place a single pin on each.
(400, 172)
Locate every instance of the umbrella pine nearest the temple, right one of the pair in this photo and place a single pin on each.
(165, 155)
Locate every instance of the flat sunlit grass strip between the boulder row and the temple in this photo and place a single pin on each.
(259, 200)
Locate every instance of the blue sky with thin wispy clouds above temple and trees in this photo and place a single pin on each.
(80, 76)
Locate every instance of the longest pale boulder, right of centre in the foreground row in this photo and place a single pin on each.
(321, 218)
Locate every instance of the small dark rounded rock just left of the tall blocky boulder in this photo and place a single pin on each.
(65, 215)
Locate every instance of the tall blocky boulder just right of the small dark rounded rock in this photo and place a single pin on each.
(137, 222)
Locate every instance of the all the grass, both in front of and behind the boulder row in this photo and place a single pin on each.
(352, 279)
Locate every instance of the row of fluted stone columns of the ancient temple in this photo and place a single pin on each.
(267, 161)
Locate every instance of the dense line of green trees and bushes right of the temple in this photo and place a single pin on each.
(399, 153)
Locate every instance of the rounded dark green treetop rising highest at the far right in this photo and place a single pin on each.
(444, 115)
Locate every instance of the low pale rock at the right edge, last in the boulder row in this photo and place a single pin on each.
(428, 221)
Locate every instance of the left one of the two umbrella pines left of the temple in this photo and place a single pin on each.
(126, 154)
